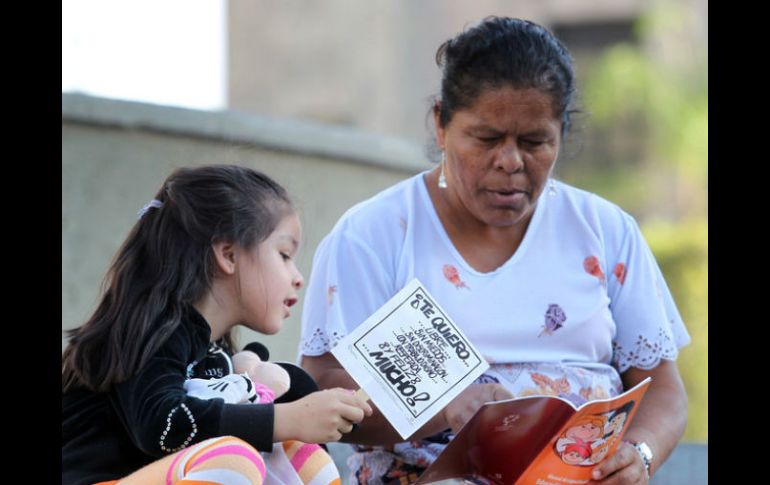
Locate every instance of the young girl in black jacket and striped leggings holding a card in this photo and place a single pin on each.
(213, 250)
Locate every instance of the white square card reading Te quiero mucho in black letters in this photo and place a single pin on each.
(411, 358)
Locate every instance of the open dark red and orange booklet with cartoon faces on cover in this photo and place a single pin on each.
(540, 440)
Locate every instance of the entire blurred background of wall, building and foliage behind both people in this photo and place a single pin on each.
(330, 98)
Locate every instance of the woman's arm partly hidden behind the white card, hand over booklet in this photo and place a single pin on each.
(375, 430)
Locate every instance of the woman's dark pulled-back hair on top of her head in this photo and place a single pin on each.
(500, 52)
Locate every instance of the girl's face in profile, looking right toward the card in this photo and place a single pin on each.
(269, 279)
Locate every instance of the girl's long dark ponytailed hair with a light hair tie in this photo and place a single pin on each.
(165, 265)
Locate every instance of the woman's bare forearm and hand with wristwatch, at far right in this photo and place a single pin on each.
(659, 422)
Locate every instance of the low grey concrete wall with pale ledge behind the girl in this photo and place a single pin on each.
(116, 154)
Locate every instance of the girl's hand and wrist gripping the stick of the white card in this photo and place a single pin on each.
(320, 417)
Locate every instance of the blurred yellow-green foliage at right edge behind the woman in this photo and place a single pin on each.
(658, 91)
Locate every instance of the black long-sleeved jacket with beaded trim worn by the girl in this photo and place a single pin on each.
(106, 436)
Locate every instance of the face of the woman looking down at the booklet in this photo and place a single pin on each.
(500, 153)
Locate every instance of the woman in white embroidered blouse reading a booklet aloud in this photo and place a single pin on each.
(554, 285)
